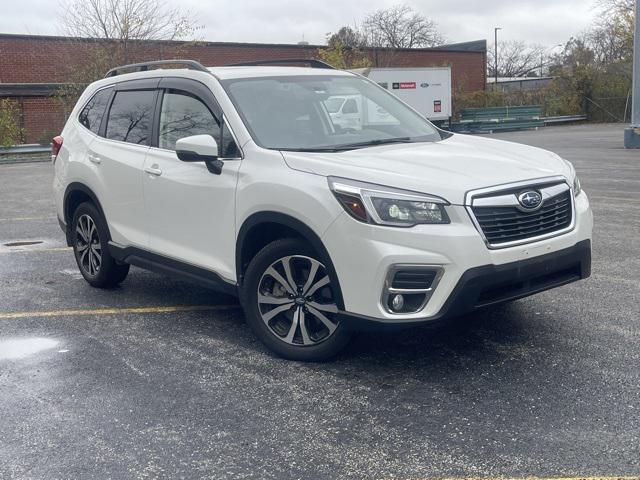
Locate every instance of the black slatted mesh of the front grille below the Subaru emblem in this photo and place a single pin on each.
(503, 224)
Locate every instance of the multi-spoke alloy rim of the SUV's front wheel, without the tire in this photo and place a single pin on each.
(296, 302)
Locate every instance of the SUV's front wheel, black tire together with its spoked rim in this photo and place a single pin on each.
(318, 342)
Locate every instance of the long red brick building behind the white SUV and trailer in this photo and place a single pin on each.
(33, 67)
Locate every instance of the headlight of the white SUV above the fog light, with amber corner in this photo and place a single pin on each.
(388, 206)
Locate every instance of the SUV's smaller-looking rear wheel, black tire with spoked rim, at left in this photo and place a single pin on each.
(107, 272)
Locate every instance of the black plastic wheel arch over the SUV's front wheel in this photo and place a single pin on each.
(262, 228)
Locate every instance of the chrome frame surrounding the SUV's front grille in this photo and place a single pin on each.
(469, 204)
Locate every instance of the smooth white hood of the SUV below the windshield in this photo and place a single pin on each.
(448, 168)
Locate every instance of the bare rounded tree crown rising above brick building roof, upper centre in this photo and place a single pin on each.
(400, 27)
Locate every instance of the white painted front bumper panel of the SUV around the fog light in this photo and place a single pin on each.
(362, 255)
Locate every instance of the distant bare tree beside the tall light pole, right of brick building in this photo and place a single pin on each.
(517, 59)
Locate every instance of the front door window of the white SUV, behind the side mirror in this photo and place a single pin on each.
(183, 115)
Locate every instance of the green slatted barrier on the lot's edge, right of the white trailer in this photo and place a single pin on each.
(492, 119)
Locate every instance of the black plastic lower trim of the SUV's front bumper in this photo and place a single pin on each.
(494, 284)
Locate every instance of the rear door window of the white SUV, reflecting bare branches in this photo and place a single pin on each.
(130, 116)
